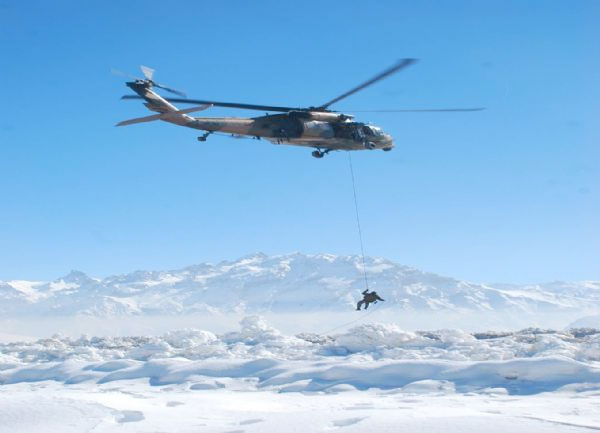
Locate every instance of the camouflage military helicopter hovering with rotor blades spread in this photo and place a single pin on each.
(315, 127)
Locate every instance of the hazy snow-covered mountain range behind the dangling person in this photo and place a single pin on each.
(283, 283)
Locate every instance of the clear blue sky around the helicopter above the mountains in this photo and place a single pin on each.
(510, 194)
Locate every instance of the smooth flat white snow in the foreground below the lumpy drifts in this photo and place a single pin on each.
(133, 406)
